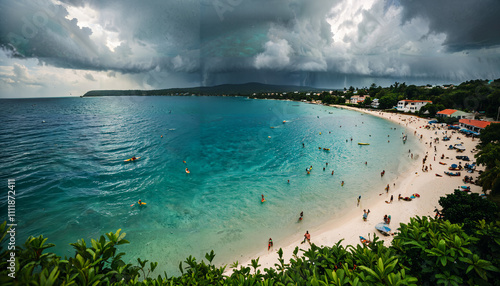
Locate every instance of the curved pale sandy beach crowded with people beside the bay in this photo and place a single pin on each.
(429, 186)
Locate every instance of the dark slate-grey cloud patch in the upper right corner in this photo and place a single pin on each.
(467, 24)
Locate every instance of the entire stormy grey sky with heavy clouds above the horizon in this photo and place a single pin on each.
(67, 47)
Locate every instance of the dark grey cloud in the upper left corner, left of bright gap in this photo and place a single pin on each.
(39, 29)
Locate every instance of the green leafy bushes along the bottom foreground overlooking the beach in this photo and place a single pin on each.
(425, 252)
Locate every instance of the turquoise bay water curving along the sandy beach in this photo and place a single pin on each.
(67, 158)
